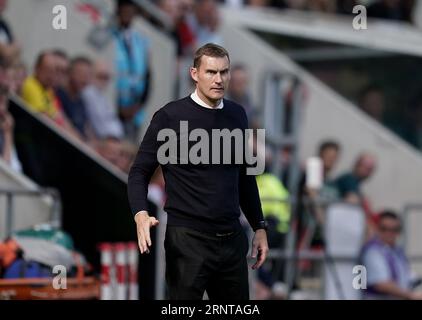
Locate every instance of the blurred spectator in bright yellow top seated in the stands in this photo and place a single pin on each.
(38, 92)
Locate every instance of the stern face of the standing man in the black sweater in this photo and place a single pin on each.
(212, 78)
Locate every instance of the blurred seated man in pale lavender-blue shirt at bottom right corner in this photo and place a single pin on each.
(388, 270)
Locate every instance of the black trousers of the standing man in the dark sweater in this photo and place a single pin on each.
(197, 262)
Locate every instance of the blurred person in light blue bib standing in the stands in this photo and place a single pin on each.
(133, 71)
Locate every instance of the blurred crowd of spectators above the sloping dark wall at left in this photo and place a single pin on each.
(71, 93)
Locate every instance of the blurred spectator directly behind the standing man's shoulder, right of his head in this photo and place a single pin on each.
(239, 89)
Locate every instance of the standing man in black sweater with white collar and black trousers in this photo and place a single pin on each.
(205, 244)
